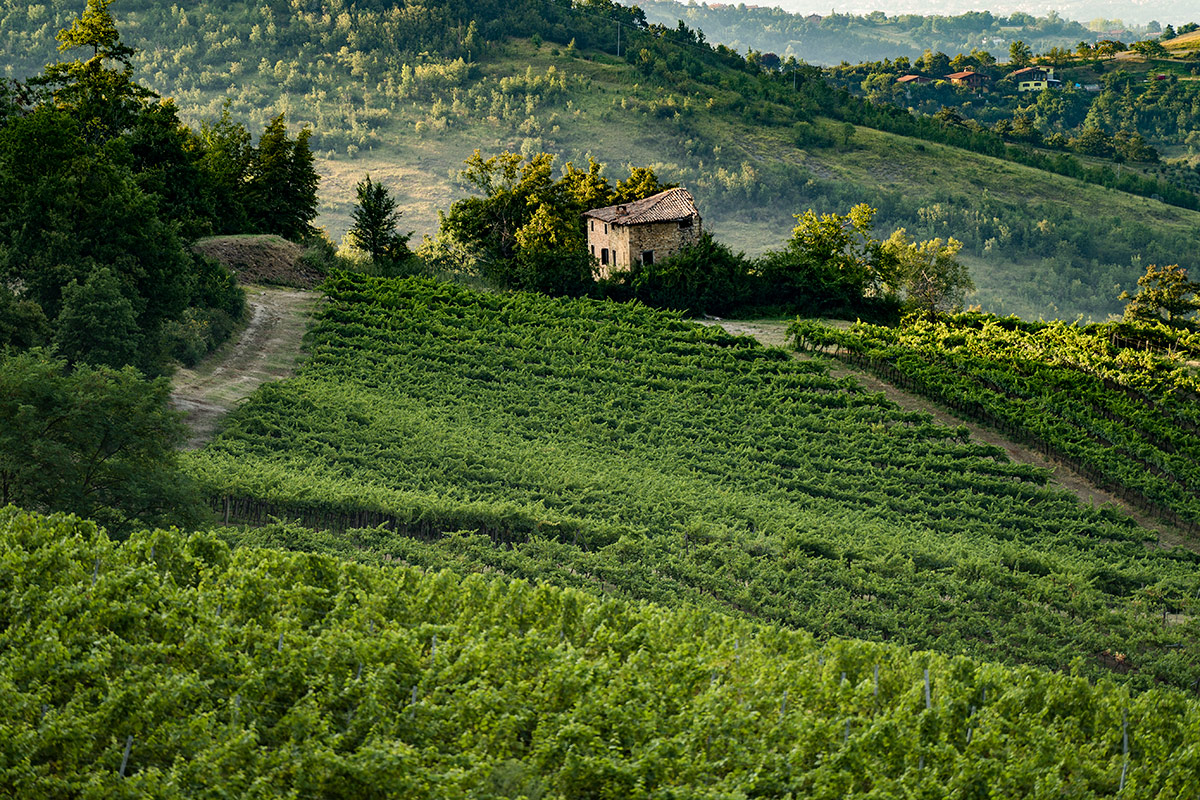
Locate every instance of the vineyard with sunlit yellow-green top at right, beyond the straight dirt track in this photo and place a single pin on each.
(1117, 402)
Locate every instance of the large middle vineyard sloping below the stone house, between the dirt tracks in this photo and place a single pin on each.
(623, 450)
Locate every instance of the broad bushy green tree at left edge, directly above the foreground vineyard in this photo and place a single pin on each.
(97, 442)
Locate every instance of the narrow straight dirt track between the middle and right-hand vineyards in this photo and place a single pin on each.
(773, 334)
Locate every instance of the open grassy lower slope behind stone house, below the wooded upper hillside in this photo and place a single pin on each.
(1040, 245)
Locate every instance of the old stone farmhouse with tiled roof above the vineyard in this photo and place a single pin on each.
(643, 232)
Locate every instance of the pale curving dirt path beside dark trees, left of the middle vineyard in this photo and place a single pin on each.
(267, 350)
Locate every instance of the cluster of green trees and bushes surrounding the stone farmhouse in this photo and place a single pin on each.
(524, 231)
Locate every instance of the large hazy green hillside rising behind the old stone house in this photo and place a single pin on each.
(388, 94)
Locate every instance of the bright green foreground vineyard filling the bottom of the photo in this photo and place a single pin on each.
(173, 666)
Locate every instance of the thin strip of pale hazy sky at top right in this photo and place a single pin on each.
(1136, 13)
